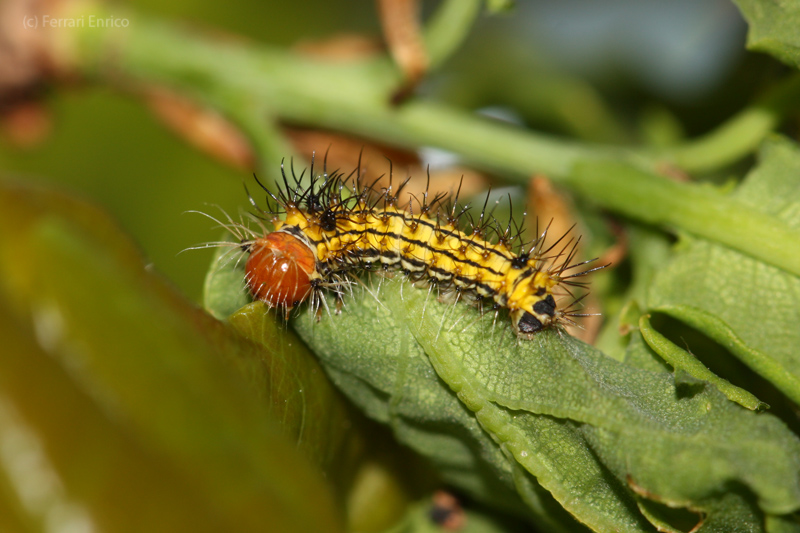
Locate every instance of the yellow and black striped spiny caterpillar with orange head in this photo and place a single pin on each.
(335, 225)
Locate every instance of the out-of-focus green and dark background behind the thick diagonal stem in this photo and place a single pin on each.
(616, 71)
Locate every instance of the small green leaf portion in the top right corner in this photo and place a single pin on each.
(773, 28)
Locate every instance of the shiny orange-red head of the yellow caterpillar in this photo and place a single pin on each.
(280, 269)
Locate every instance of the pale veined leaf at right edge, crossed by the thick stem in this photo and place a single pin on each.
(744, 304)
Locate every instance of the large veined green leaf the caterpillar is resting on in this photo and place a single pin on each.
(491, 411)
